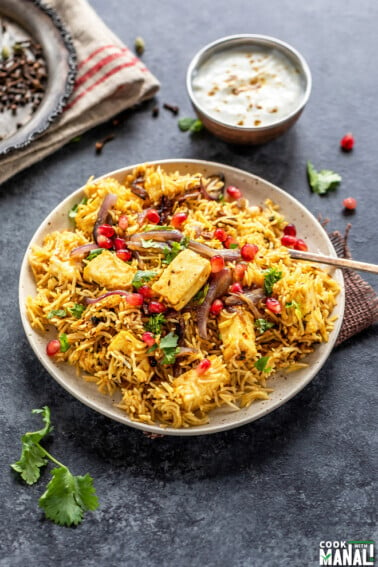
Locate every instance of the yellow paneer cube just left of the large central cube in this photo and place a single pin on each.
(109, 271)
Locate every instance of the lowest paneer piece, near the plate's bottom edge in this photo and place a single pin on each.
(192, 391)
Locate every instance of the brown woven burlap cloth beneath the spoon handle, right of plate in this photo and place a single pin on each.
(361, 301)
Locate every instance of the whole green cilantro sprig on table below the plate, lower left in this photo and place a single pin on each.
(67, 497)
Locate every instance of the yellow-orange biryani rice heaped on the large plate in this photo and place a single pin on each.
(105, 341)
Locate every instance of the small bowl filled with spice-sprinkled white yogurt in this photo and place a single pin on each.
(248, 89)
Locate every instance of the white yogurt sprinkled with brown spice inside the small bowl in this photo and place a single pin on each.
(248, 86)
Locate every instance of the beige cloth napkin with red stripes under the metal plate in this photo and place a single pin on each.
(110, 78)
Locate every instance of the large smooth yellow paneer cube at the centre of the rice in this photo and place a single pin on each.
(181, 280)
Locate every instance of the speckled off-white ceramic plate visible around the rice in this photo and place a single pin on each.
(285, 387)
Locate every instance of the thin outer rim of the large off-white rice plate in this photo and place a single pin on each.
(210, 428)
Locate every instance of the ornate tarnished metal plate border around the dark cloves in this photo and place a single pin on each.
(44, 26)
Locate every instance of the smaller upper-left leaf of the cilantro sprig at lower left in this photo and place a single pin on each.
(32, 456)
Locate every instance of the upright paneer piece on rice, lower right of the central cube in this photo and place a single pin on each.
(237, 334)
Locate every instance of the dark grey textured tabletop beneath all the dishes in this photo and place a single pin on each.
(265, 494)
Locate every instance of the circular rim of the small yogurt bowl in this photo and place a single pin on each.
(249, 38)
